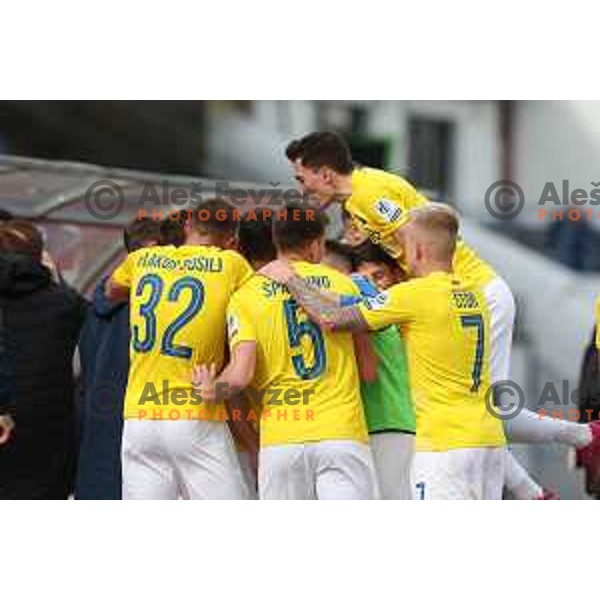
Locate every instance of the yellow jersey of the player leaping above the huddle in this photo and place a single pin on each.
(380, 203)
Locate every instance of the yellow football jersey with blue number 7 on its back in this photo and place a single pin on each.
(446, 327)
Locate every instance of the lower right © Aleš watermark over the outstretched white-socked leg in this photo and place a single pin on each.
(505, 400)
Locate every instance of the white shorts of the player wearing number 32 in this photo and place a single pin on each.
(165, 460)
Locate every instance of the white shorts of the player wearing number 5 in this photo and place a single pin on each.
(328, 470)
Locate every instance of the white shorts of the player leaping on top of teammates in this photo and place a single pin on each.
(501, 304)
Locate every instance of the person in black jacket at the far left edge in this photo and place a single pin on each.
(40, 327)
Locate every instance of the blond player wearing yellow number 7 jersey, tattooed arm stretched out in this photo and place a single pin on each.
(460, 445)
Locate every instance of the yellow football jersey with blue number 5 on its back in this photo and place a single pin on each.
(306, 379)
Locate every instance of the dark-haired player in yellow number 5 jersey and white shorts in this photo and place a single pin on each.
(314, 442)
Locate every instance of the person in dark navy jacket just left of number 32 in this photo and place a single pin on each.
(104, 353)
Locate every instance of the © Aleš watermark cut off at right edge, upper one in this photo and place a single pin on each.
(557, 201)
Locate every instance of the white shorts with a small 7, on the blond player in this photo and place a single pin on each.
(462, 474)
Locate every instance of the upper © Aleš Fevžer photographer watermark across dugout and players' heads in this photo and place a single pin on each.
(105, 199)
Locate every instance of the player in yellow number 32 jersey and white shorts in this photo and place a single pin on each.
(173, 444)
